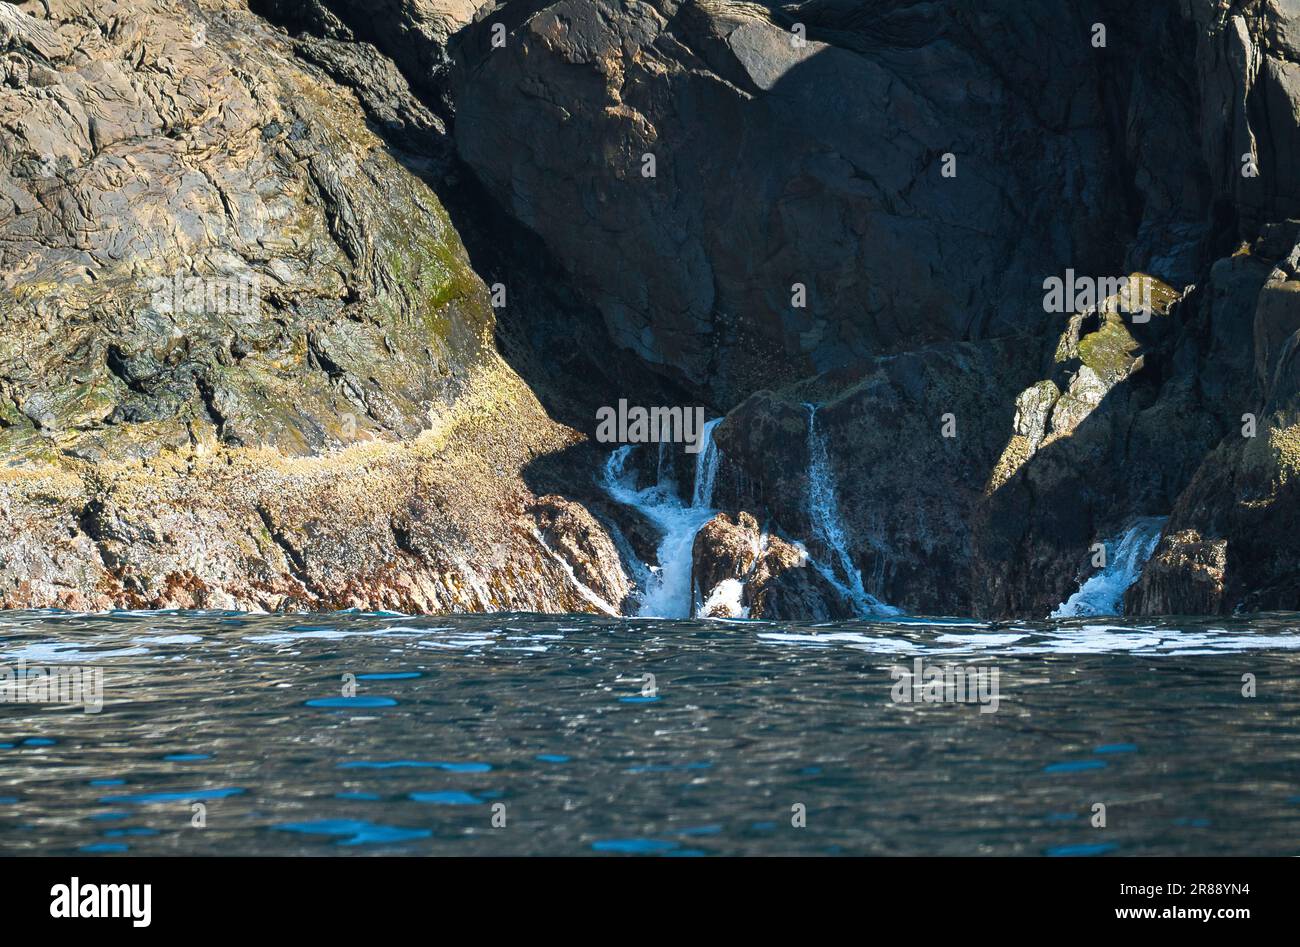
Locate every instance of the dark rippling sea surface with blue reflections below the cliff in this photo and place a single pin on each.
(513, 734)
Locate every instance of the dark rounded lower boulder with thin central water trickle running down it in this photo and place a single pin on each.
(905, 494)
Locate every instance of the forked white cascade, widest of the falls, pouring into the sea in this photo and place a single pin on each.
(669, 593)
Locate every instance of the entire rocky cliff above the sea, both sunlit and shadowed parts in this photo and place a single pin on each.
(471, 224)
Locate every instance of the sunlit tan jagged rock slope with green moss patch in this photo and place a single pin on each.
(245, 361)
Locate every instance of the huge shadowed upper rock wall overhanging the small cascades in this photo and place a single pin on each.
(824, 166)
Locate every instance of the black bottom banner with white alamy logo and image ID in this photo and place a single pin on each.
(335, 897)
